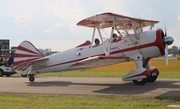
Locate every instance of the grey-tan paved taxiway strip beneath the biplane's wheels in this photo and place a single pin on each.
(93, 86)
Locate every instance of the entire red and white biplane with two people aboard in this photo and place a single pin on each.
(135, 45)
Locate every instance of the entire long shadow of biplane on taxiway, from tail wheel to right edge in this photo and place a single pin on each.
(117, 89)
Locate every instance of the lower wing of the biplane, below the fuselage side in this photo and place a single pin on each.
(99, 61)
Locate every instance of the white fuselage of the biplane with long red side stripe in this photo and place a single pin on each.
(63, 61)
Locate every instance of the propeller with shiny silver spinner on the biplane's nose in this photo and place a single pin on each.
(168, 40)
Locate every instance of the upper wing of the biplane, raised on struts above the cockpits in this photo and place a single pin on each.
(105, 20)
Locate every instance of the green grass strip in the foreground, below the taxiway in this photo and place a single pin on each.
(53, 101)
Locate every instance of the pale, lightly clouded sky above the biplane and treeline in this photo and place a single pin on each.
(51, 24)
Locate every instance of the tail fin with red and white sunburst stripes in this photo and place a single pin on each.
(26, 52)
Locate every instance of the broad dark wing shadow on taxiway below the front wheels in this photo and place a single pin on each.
(130, 88)
